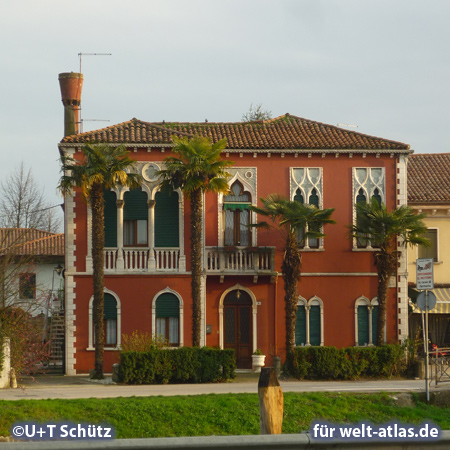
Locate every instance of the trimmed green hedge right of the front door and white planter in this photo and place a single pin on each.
(324, 363)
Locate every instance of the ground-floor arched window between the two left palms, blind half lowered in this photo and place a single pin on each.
(168, 318)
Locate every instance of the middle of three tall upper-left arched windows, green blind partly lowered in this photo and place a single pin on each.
(135, 218)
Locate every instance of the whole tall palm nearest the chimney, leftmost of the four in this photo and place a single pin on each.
(102, 168)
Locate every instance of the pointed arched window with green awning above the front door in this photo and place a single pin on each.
(237, 216)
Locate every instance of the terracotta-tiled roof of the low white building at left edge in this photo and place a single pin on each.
(31, 242)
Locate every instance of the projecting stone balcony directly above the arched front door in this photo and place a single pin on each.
(254, 261)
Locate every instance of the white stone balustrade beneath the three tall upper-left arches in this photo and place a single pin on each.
(138, 259)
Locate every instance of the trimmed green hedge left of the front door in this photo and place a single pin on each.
(178, 365)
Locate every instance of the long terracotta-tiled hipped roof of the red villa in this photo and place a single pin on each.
(286, 132)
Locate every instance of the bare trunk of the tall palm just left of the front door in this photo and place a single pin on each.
(196, 264)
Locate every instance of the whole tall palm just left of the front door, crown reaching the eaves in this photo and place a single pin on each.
(196, 168)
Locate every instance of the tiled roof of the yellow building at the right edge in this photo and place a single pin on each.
(429, 178)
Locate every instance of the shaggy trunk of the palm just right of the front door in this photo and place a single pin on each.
(291, 275)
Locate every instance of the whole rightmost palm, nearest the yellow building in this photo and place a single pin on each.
(381, 229)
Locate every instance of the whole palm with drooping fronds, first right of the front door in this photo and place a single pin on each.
(297, 222)
